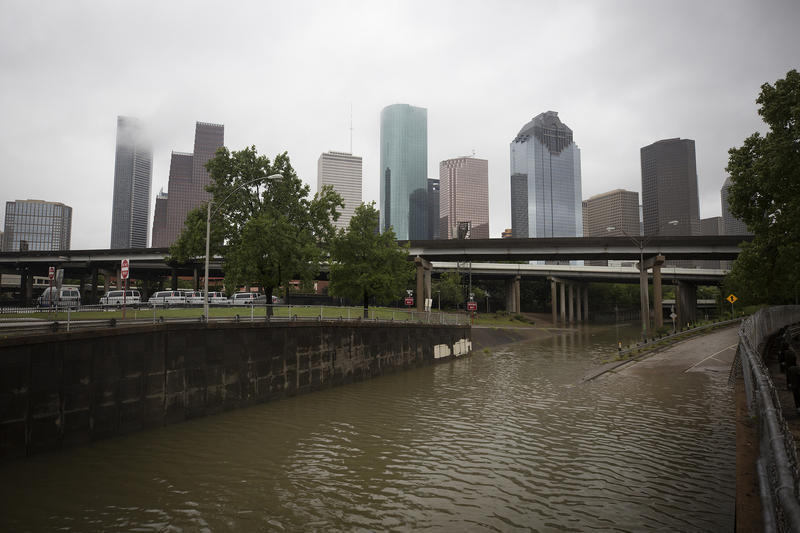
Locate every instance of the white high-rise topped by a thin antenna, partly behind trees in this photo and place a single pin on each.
(342, 171)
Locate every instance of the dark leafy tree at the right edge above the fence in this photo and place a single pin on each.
(765, 195)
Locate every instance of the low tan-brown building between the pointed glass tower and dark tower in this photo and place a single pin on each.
(617, 209)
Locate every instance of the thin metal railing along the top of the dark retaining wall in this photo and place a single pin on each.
(70, 319)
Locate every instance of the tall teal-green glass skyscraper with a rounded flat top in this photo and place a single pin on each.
(404, 171)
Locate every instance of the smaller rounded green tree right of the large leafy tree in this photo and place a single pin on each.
(365, 263)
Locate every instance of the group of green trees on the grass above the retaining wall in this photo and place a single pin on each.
(269, 231)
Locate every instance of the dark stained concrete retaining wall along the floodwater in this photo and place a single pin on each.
(70, 388)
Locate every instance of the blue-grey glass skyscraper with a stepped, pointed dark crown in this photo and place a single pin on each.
(545, 180)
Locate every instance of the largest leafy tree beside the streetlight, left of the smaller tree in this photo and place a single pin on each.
(267, 231)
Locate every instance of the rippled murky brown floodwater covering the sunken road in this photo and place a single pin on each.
(501, 442)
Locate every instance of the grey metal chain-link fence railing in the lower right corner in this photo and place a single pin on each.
(777, 462)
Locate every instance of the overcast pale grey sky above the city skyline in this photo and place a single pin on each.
(283, 76)
